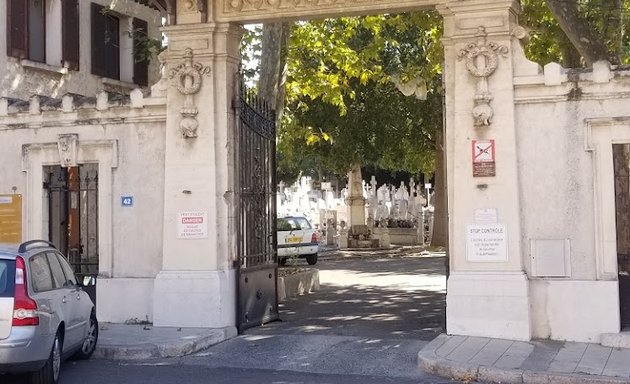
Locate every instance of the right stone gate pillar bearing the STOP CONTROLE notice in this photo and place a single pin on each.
(488, 292)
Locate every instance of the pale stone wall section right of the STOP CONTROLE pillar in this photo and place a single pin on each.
(567, 121)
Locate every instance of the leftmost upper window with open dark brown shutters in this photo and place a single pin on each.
(45, 31)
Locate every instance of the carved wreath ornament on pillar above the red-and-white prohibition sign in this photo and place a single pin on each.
(482, 60)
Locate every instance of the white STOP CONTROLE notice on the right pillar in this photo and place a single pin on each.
(486, 243)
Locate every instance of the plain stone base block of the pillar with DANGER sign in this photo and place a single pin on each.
(195, 299)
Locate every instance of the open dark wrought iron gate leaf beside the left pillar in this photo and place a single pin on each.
(257, 256)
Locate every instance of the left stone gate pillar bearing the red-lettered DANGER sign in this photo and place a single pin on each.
(197, 284)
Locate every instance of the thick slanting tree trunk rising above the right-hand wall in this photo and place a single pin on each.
(579, 32)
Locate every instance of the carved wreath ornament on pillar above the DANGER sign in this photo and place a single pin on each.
(187, 78)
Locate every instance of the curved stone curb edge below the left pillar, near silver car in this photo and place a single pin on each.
(182, 347)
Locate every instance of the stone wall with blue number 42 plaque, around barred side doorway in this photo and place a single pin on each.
(125, 137)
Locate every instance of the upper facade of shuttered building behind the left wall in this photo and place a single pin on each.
(54, 47)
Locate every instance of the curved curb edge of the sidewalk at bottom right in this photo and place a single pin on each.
(431, 363)
